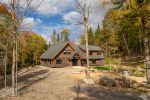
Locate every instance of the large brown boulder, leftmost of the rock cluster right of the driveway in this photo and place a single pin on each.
(107, 81)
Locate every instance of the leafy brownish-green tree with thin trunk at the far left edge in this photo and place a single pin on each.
(6, 25)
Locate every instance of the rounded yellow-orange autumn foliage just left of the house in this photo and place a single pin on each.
(30, 48)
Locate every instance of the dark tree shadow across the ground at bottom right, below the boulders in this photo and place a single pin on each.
(101, 93)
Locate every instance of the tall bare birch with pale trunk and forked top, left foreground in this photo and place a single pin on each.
(19, 9)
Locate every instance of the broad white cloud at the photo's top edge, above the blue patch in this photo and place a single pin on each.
(54, 7)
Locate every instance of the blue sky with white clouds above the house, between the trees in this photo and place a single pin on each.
(60, 14)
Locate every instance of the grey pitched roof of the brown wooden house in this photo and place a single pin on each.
(80, 49)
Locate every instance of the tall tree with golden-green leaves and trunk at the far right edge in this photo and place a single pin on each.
(137, 10)
